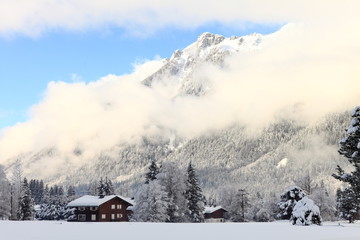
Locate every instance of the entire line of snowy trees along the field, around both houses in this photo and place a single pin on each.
(170, 194)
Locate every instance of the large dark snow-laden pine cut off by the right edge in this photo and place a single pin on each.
(350, 148)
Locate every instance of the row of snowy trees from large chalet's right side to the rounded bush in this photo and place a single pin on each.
(169, 194)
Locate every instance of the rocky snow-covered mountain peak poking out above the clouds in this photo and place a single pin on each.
(209, 48)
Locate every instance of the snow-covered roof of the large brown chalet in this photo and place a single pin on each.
(95, 201)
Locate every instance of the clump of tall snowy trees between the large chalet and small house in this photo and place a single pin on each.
(169, 195)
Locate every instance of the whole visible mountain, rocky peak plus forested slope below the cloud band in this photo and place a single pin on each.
(269, 161)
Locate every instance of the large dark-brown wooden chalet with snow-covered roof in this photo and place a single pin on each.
(113, 208)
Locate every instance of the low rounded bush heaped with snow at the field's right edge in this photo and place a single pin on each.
(305, 212)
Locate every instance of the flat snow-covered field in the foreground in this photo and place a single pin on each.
(46, 230)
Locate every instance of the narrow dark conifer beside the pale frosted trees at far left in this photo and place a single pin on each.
(26, 206)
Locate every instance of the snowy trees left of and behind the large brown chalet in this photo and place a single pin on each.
(21, 199)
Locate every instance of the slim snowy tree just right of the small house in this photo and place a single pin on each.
(239, 206)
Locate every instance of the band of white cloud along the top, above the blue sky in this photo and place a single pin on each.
(144, 17)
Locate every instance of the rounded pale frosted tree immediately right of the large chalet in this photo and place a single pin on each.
(151, 203)
